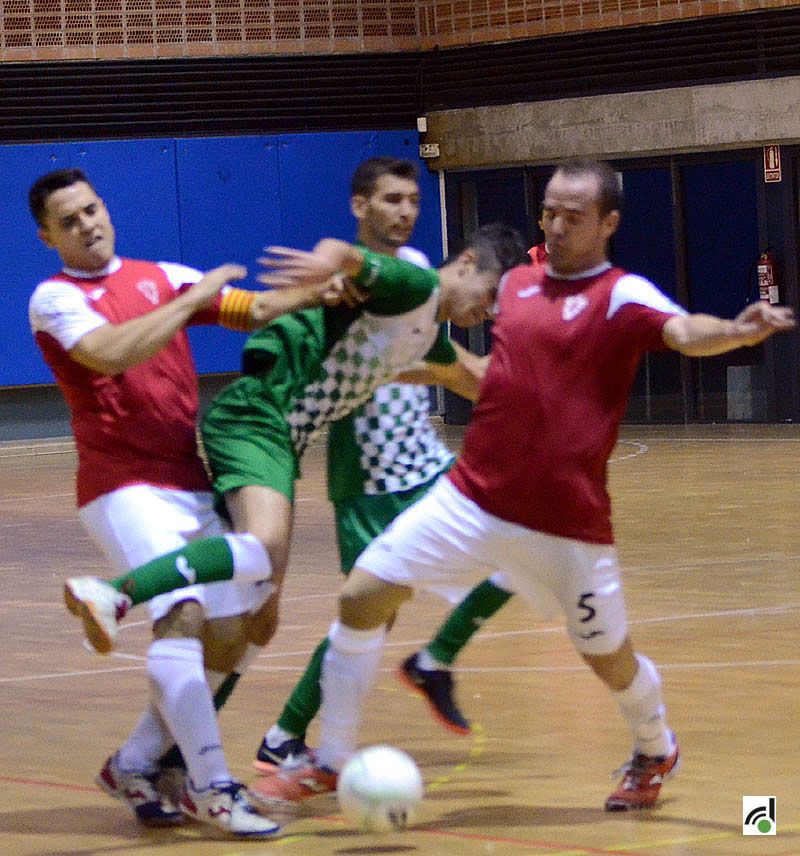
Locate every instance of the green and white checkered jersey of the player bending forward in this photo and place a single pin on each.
(314, 366)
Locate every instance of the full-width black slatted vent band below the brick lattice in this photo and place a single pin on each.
(247, 95)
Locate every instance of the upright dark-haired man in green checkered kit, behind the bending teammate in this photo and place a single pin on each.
(381, 457)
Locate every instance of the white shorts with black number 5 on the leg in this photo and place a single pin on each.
(446, 541)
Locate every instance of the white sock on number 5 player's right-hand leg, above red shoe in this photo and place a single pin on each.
(643, 708)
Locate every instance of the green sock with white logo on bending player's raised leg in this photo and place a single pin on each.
(208, 560)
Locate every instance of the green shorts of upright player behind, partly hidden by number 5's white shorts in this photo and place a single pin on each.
(360, 520)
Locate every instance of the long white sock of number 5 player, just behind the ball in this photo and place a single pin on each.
(348, 673)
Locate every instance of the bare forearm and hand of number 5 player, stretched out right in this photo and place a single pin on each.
(702, 335)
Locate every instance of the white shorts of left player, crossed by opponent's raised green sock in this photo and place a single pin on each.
(137, 523)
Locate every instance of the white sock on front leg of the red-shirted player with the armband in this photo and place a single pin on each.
(183, 697)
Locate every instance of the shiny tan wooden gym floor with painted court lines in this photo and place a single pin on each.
(707, 526)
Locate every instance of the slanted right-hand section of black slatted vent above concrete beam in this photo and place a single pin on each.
(731, 47)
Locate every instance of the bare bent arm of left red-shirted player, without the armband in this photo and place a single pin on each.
(115, 348)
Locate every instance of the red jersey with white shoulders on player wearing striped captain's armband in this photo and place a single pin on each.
(138, 426)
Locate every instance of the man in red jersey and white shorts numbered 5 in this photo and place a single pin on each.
(528, 494)
